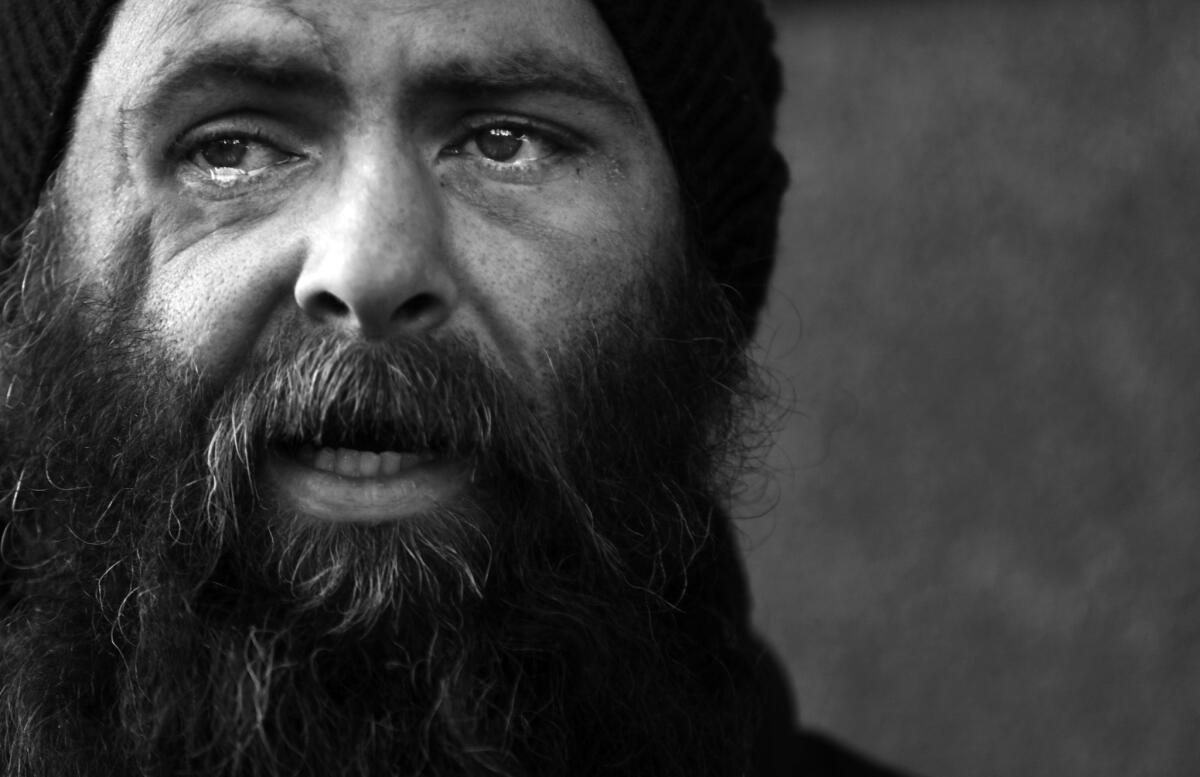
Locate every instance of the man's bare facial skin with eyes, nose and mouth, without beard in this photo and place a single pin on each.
(374, 170)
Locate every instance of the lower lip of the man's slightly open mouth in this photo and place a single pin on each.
(415, 491)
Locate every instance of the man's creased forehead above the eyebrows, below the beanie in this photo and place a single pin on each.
(371, 44)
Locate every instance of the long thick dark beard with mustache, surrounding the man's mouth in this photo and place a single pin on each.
(577, 613)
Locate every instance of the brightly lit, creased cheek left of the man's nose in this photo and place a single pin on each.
(205, 286)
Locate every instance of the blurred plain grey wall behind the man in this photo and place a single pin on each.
(982, 555)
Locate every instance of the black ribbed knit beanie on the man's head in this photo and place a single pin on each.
(705, 68)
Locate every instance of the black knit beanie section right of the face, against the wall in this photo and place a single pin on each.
(709, 73)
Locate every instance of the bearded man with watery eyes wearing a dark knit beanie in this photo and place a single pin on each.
(375, 384)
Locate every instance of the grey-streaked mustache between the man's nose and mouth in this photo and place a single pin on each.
(441, 397)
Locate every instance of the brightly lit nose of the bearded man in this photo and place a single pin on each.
(376, 261)
